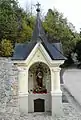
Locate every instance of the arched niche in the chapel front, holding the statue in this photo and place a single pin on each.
(36, 71)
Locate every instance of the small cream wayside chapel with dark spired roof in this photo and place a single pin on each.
(38, 64)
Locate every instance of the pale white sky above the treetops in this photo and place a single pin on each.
(70, 8)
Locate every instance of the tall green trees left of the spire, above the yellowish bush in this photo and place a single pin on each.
(15, 24)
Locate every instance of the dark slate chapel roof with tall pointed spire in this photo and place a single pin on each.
(54, 50)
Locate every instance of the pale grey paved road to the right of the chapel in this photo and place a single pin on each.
(72, 80)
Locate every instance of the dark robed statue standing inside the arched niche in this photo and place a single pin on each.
(39, 77)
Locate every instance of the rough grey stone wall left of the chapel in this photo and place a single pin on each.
(8, 81)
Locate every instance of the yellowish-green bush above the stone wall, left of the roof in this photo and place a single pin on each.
(6, 48)
